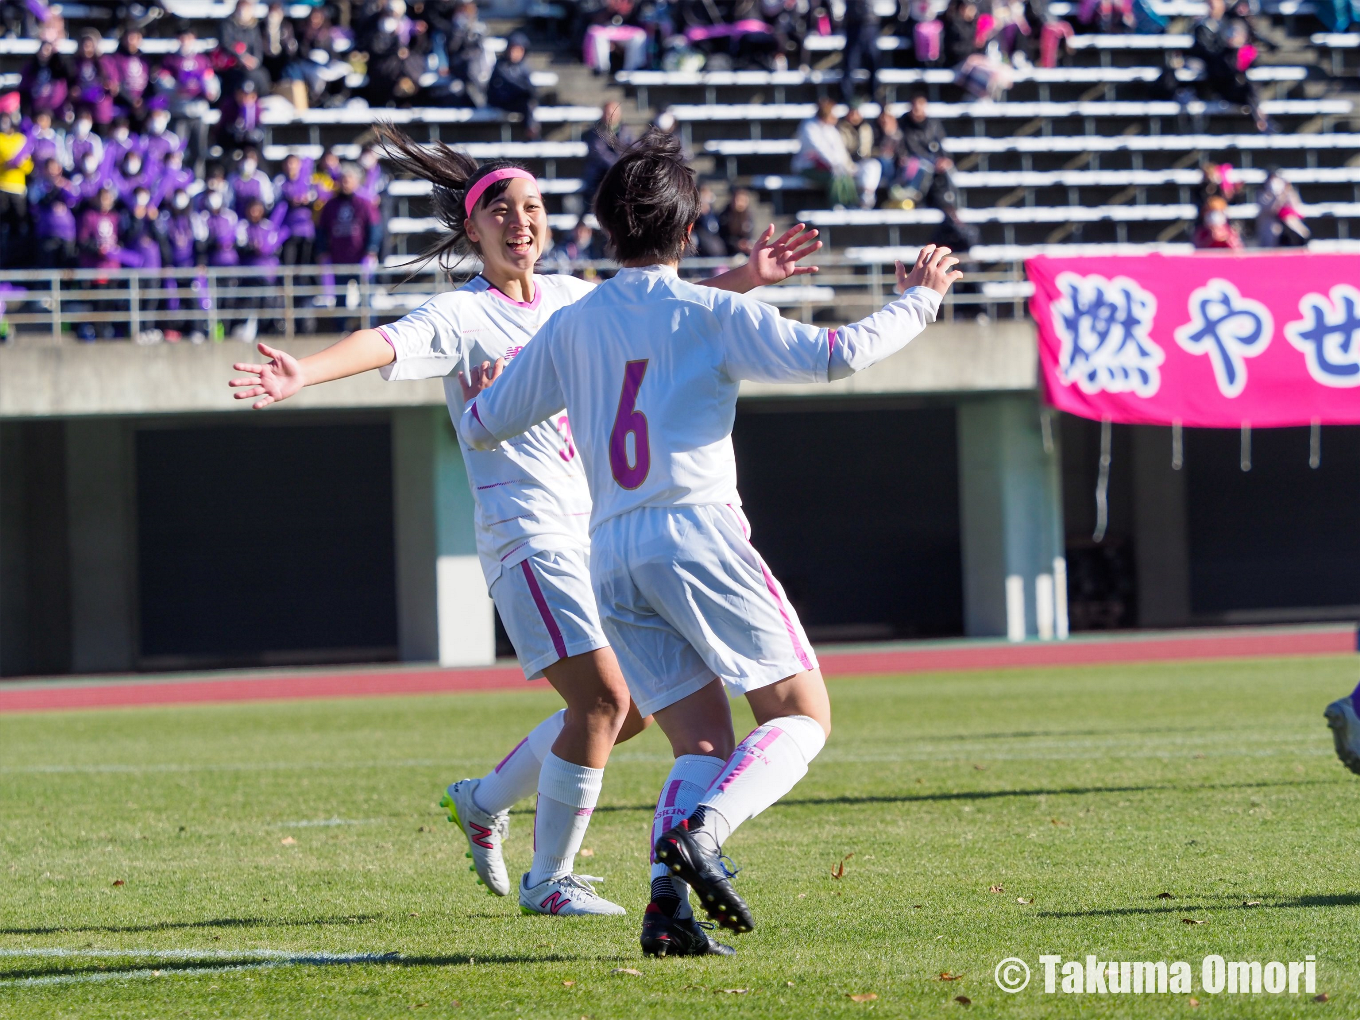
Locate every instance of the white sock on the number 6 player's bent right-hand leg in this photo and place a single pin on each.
(762, 770)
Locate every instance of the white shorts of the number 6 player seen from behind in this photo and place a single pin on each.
(685, 598)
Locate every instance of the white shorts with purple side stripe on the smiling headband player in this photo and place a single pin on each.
(549, 610)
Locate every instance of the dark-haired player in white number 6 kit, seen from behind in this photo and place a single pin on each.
(648, 368)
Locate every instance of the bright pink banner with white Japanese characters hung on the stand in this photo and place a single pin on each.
(1207, 341)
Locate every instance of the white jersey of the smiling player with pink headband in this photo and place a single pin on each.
(531, 492)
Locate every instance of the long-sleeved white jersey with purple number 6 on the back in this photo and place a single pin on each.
(649, 369)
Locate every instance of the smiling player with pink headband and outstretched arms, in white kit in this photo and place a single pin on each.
(532, 504)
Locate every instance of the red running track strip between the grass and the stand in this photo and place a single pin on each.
(897, 659)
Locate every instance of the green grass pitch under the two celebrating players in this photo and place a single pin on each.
(167, 852)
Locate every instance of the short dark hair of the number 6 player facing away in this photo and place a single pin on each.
(648, 202)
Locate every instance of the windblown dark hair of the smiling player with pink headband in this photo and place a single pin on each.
(452, 175)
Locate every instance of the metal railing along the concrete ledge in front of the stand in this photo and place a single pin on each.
(240, 303)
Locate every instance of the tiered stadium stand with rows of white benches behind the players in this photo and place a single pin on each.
(1100, 146)
